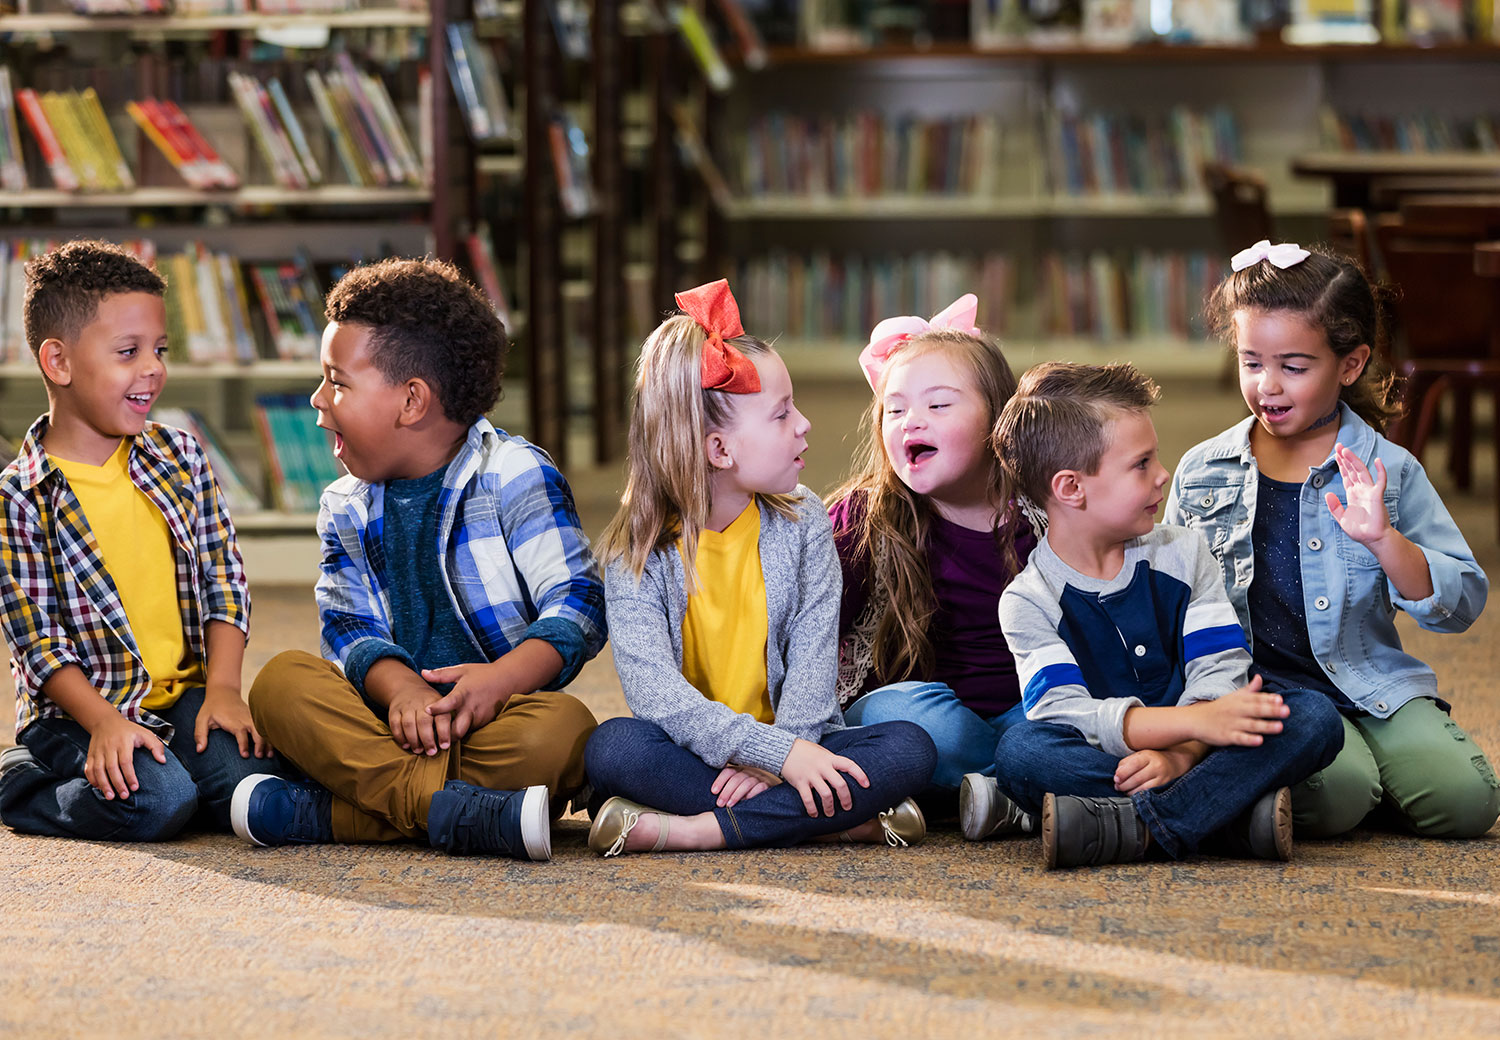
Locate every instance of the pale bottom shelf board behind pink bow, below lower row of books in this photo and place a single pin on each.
(823, 359)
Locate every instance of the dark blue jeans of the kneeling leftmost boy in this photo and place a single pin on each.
(53, 798)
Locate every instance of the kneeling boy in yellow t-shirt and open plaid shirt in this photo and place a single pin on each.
(122, 588)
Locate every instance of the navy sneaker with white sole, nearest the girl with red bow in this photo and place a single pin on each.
(466, 820)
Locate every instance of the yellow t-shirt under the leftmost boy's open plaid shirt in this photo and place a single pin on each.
(139, 555)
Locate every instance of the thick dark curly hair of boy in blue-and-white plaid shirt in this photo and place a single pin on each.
(427, 322)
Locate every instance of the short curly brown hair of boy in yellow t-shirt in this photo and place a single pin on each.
(65, 286)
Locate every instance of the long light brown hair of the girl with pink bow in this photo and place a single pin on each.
(895, 523)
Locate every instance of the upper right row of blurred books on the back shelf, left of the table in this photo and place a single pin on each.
(1133, 154)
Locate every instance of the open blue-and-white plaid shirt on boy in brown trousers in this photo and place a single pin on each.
(515, 561)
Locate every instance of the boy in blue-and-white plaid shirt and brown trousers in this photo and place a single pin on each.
(457, 594)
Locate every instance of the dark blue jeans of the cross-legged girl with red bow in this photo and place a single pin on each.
(637, 760)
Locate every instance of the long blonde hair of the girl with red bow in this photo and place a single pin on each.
(668, 478)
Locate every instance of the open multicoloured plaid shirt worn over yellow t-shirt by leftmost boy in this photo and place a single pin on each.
(62, 607)
